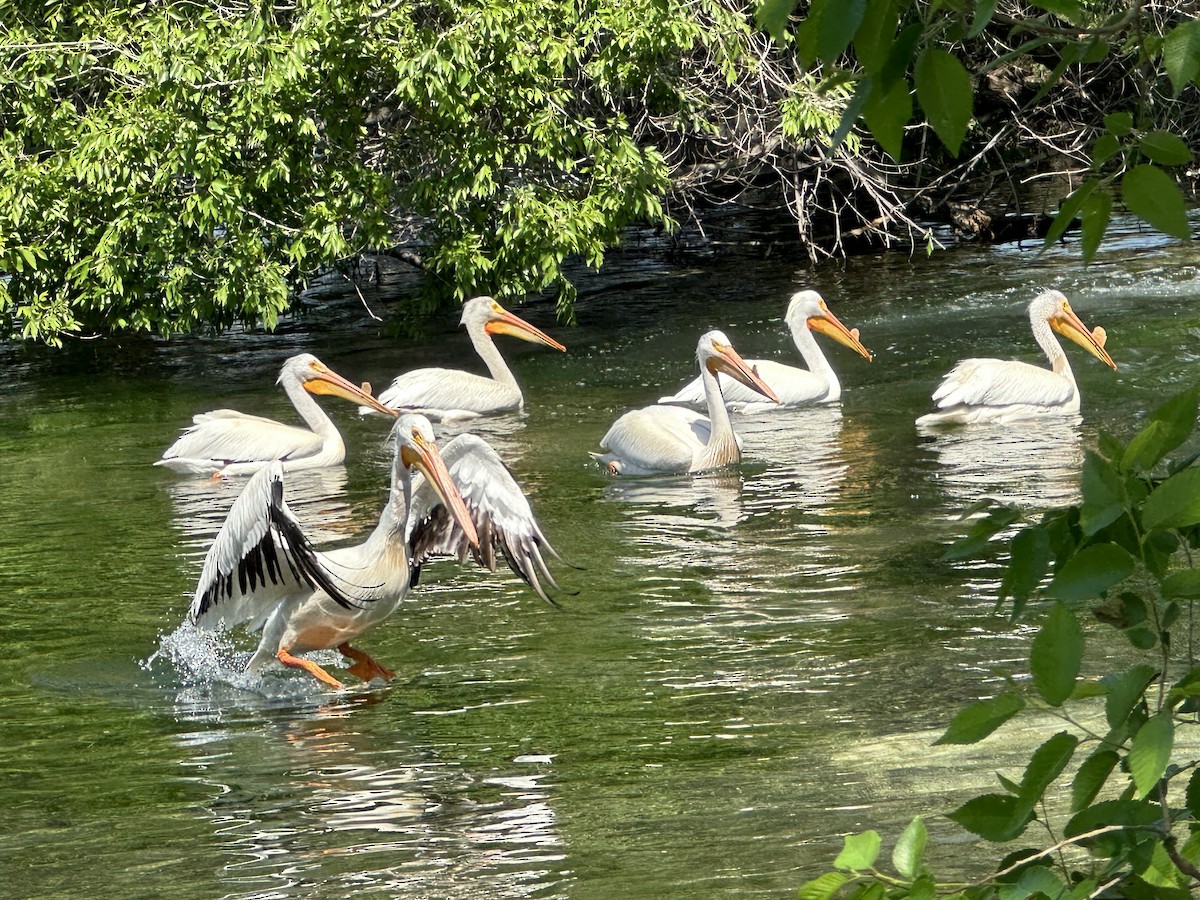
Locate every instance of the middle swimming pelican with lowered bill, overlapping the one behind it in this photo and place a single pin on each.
(670, 439)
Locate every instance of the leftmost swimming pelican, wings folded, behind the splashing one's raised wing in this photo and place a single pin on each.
(226, 442)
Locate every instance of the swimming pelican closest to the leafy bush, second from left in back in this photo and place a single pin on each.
(447, 394)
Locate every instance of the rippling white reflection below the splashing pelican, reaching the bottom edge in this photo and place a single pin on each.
(347, 819)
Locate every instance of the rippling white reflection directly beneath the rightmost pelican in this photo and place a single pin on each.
(1031, 465)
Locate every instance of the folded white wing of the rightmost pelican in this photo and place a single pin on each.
(1000, 383)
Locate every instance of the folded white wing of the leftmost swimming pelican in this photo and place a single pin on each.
(229, 436)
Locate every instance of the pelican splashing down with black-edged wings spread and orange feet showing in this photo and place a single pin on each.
(263, 572)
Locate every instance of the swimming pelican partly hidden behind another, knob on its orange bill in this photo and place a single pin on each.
(807, 313)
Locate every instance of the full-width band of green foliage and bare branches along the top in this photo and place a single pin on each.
(175, 166)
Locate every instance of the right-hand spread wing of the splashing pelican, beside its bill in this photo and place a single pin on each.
(499, 508)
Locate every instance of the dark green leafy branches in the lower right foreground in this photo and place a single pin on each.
(1125, 556)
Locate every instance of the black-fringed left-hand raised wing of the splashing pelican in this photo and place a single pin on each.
(260, 559)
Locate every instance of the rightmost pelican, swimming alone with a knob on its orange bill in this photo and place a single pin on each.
(1006, 391)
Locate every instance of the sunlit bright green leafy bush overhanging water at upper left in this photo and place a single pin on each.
(177, 165)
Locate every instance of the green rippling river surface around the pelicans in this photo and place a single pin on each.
(747, 665)
